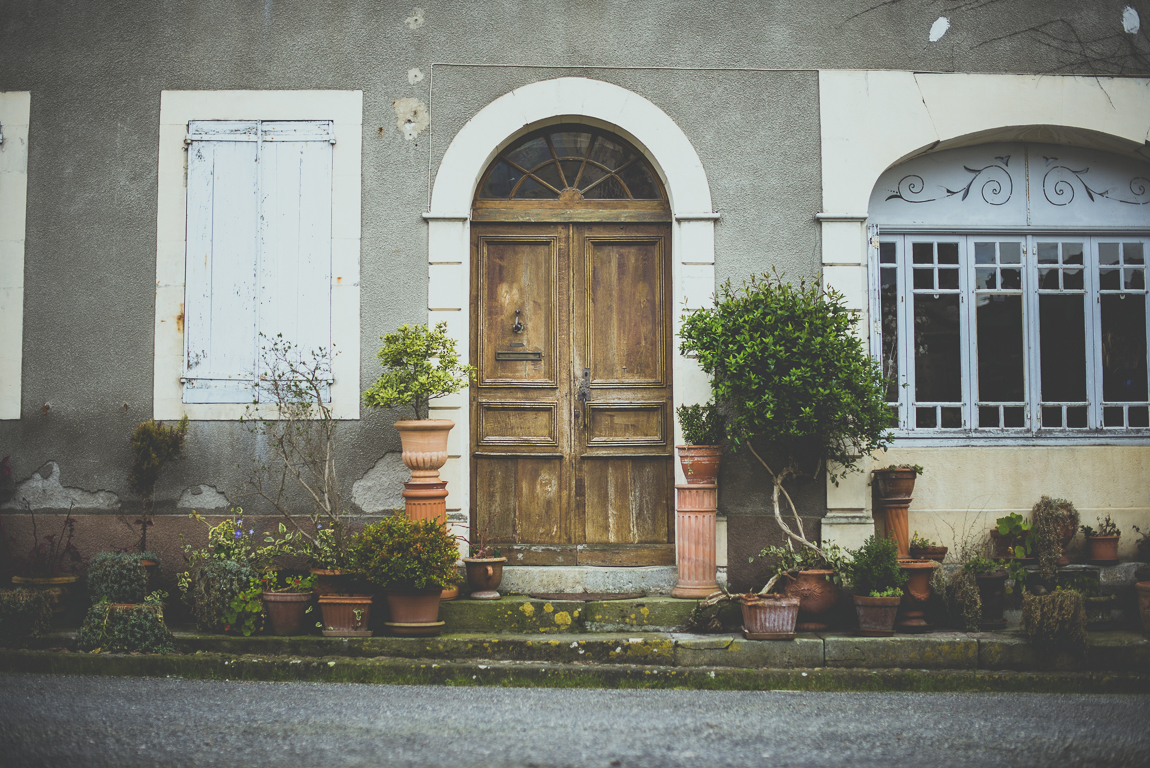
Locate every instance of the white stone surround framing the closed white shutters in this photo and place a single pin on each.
(340, 110)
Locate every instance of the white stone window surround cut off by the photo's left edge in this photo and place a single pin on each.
(14, 114)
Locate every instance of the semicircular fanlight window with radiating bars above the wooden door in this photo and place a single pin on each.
(571, 164)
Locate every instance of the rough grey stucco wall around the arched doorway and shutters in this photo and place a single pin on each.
(96, 73)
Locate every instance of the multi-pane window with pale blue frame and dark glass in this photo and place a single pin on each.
(1014, 335)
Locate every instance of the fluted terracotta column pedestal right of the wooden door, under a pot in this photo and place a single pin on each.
(696, 509)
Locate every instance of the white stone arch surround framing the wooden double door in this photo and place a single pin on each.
(563, 101)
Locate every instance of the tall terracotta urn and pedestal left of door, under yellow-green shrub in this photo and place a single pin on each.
(425, 446)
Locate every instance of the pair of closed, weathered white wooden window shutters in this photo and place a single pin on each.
(259, 250)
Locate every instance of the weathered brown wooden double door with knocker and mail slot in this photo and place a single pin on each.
(572, 406)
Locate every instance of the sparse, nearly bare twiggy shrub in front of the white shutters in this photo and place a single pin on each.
(294, 417)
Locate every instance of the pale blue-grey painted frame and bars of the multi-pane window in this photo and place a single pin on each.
(1033, 431)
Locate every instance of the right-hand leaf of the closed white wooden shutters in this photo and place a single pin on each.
(296, 235)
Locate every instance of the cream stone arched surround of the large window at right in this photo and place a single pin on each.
(875, 120)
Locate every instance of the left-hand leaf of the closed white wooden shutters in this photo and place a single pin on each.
(223, 262)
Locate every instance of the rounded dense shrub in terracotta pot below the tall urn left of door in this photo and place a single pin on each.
(412, 562)
